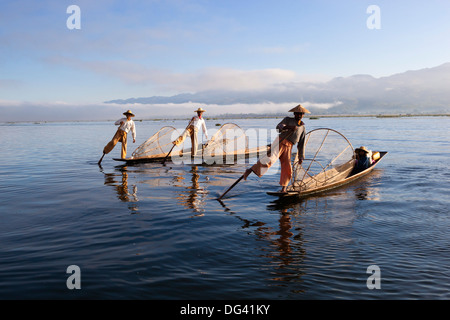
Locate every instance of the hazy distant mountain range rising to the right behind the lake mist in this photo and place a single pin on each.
(419, 91)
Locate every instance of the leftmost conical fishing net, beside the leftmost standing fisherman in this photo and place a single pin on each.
(157, 145)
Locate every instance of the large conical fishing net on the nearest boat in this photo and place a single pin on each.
(328, 159)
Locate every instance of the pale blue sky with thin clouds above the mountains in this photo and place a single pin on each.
(137, 48)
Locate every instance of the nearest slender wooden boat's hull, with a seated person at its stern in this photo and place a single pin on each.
(335, 183)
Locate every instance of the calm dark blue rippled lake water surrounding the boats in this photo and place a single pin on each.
(157, 232)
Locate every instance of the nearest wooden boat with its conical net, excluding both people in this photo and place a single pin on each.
(330, 166)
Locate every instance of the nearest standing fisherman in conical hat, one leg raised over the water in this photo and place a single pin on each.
(292, 131)
